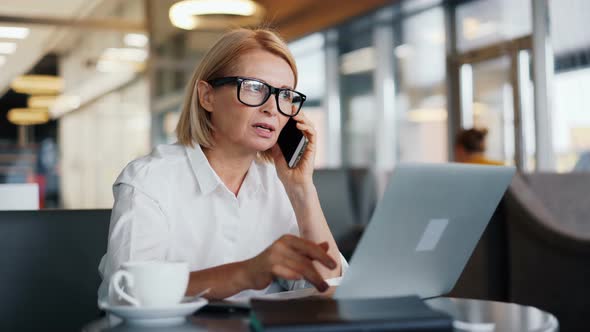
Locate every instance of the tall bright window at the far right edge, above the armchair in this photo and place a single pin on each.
(571, 101)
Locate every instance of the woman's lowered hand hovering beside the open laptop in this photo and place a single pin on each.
(290, 258)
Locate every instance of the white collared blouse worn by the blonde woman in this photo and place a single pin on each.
(171, 205)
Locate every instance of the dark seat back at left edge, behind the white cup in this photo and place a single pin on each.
(49, 260)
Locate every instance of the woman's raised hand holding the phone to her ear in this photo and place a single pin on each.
(301, 175)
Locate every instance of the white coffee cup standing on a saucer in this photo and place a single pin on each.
(151, 283)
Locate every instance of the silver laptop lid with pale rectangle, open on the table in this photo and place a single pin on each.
(424, 229)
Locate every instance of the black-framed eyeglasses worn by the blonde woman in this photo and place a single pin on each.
(253, 92)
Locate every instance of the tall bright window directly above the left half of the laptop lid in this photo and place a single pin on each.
(421, 98)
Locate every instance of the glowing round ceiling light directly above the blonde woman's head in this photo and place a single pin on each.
(190, 14)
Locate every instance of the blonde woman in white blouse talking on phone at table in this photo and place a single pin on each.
(214, 199)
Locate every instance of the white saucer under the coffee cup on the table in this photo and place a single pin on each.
(156, 316)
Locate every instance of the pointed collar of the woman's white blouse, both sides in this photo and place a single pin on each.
(208, 180)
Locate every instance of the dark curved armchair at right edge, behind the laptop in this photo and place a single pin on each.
(548, 218)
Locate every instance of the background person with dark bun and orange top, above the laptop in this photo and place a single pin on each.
(470, 147)
